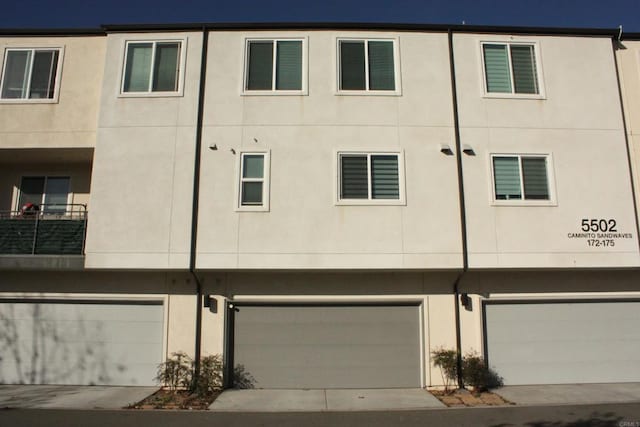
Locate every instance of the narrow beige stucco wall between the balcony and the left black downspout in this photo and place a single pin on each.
(141, 191)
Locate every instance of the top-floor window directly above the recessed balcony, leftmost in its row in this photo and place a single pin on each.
(30, 74)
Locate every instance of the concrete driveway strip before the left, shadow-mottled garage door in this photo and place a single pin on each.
(71, 397)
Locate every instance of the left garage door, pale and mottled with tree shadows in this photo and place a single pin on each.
(83, 342)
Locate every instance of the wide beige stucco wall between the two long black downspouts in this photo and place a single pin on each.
(305, 228)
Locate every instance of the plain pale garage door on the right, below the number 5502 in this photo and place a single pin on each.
(564, 342)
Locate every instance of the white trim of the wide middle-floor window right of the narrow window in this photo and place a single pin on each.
(401, 201)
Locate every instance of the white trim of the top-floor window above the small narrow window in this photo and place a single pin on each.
(273, 91)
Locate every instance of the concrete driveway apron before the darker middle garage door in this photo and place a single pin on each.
(324, 400)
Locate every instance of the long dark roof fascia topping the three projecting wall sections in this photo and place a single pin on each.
(480, 29)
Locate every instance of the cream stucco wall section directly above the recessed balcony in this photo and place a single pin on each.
(71, 121)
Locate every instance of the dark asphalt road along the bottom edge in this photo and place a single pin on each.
(615, 415)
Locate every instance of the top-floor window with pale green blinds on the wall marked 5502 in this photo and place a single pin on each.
(510, 68)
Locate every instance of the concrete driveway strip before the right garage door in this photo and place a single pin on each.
(568, 394)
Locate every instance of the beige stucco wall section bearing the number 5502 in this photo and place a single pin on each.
(578, 122)
